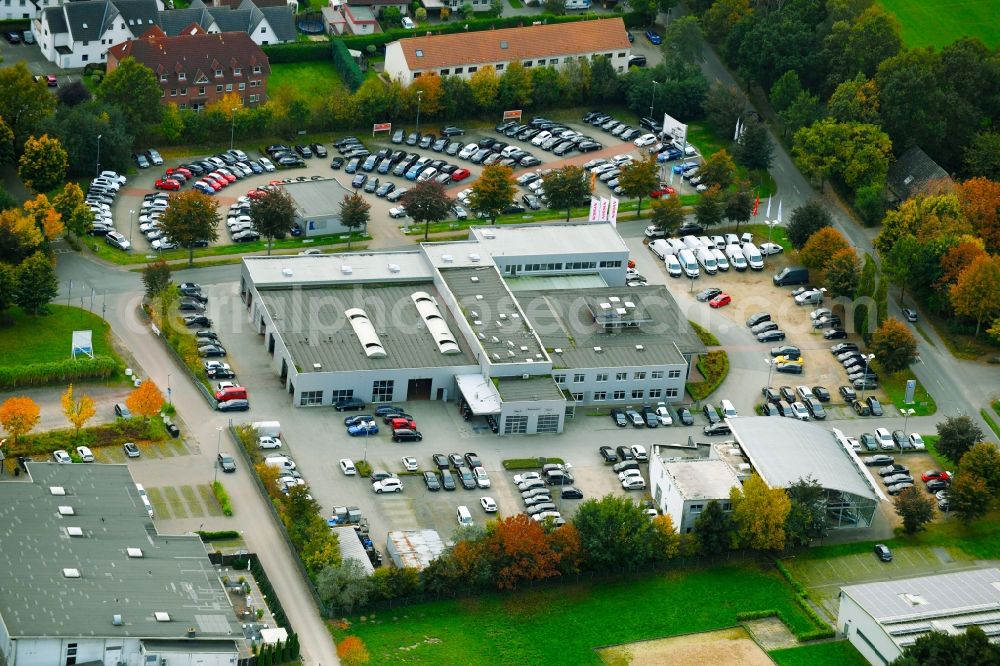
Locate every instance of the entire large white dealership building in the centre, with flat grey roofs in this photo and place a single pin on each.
(518, 323)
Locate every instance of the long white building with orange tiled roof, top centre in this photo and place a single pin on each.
(464, 53)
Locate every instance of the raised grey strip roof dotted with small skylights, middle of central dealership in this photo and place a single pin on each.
(493, 313)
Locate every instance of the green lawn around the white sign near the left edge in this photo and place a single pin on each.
(25, 340)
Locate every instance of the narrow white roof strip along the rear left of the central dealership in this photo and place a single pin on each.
(286, 271)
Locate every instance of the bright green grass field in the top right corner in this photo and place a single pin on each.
(938, 24)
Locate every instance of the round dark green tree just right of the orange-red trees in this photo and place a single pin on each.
(615, 533)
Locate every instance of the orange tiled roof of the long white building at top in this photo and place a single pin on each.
(515, 44)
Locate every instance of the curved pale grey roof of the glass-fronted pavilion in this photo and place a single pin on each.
(783, 451)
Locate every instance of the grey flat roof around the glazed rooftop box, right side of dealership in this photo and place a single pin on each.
(565, 320)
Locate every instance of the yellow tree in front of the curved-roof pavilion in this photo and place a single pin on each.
(759, 513)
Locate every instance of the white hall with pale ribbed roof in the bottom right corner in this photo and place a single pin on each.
(881, 619)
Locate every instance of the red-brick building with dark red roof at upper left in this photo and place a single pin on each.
(196, 68)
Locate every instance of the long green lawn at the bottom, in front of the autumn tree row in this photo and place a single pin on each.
(563, 625)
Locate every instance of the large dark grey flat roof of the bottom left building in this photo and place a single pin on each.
(40, 596)
